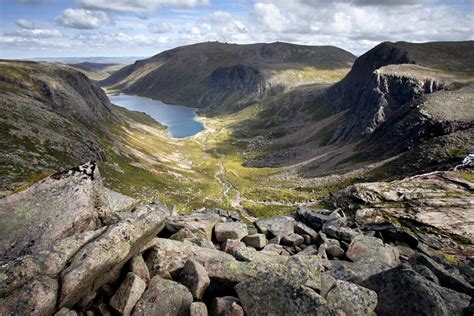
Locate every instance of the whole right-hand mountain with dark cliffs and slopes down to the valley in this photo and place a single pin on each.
(407, 99)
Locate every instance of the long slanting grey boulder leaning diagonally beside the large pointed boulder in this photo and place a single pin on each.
(100, 261)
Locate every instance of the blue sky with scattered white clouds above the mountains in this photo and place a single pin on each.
(80, 28)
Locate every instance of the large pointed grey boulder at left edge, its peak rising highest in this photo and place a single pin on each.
(60, 206)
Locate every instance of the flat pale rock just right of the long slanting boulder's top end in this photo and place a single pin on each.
(203, 222)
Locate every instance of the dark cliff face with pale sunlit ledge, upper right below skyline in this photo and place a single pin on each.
(393, 74)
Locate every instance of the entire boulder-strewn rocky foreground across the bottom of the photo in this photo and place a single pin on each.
(69, 246)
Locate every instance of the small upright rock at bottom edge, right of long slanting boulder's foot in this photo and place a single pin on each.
(128, 294)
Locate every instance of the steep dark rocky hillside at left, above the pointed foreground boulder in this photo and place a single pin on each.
(52, 116)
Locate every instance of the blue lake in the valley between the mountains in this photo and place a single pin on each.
(181, 121)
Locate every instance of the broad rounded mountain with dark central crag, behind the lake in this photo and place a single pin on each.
(224, 77)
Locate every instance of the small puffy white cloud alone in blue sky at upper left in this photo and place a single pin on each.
(83, 19)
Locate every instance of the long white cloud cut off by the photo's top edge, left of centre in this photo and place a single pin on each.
(138, 5)
